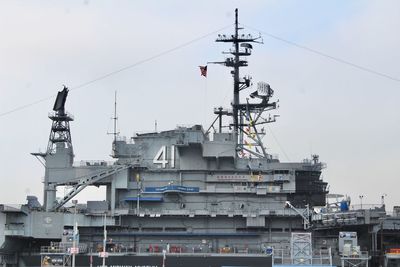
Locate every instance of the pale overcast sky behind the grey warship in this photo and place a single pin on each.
(349, 116)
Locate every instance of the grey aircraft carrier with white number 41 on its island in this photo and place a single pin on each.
(194, 196)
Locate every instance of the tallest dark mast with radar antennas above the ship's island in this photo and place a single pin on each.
(246, 116)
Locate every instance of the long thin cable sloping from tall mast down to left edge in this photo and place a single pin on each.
(117, 71)
